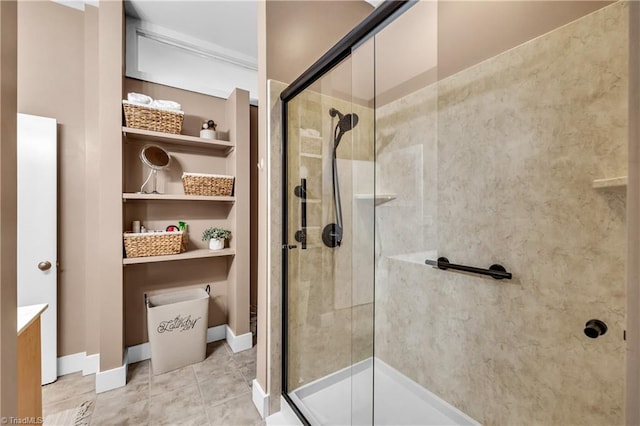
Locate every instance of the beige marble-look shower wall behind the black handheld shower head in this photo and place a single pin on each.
(330, 302)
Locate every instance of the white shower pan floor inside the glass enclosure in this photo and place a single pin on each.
(346, 396)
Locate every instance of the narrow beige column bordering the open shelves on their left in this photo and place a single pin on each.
(110, 65)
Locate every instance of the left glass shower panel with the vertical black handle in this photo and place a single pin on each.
(328, 334)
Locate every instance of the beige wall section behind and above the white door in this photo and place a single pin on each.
(51, 44)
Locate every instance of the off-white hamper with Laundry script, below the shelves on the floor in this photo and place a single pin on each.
(177, 326)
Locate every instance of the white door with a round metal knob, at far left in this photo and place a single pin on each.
(37, 228)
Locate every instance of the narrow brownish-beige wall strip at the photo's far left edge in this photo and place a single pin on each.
(8, 298)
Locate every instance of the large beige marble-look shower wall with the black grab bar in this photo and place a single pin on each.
(516, 141)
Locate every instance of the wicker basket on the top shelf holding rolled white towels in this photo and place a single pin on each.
(147, 118)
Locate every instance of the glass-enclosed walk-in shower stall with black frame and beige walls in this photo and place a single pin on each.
(454, 212)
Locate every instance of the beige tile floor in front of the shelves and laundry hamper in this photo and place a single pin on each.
(216, 391)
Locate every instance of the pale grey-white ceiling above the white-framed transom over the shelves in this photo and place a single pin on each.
(229, 24)
